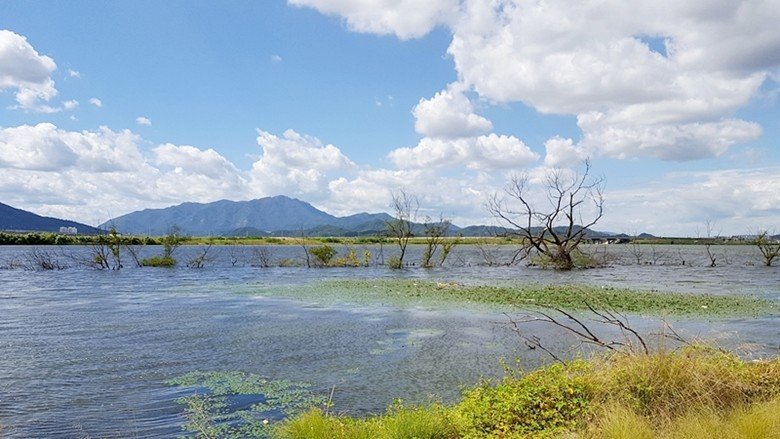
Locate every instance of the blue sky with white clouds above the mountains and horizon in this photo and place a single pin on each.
(111, 107)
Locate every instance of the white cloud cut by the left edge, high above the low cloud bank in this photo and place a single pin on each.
(23, 69)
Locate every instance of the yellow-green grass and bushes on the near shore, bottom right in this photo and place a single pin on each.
(695, 392)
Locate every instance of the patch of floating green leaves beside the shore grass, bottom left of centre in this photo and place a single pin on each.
(238, 404)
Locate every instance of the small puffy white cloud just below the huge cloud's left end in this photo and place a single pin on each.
(449, 114)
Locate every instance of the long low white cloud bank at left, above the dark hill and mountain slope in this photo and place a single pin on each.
(94, 175)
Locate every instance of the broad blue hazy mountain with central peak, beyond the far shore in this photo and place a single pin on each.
(240, 218)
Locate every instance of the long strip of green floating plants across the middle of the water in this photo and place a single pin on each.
(571, 297)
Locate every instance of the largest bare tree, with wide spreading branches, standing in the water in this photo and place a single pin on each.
(553, 231)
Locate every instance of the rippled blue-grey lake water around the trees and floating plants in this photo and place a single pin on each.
(85, 353)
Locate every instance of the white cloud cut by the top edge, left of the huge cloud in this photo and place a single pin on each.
(403, 18)
